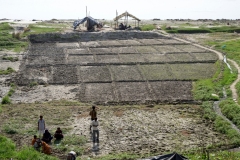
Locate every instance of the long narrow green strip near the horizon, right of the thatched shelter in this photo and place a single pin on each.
(228, 29)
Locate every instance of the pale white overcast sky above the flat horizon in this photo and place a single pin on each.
(106, 9)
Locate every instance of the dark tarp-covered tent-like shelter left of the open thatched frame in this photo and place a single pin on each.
(91, 23)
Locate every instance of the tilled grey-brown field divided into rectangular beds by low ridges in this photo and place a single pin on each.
(118, 67)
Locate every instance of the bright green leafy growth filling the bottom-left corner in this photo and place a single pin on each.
(8, 151)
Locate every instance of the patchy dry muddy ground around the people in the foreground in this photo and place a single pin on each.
(136, 129)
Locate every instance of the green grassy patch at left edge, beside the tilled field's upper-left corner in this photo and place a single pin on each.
(10, 41)
